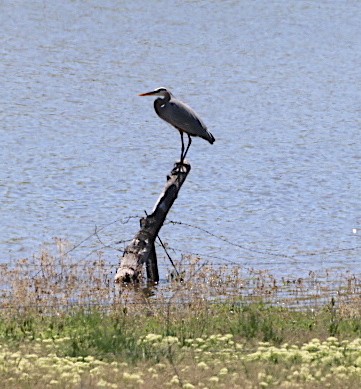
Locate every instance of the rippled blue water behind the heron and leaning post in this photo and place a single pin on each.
(276, 82)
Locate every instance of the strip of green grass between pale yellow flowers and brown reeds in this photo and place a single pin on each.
(117, 332)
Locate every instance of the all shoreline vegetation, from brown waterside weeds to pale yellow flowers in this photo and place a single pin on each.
(59, 329)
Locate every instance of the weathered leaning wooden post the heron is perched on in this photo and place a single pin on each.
(141, 250)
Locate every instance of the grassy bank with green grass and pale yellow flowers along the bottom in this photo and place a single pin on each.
(210, 345)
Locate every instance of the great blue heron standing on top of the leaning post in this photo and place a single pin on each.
(181, 116)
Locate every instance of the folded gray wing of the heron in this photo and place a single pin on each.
(183, 117)
